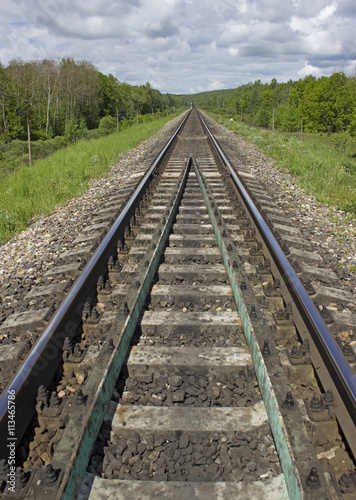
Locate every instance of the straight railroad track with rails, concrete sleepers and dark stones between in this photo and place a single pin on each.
(192, 362)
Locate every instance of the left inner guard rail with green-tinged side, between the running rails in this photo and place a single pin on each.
(73, 452)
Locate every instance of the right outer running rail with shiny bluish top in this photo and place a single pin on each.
(333, 358)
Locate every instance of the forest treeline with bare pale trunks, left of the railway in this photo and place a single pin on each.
(69, 98)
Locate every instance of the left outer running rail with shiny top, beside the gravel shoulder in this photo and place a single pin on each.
(43, 359)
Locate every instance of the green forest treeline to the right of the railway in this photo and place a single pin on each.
(326, 104)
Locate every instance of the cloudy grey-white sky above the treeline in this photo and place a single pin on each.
(186, 46)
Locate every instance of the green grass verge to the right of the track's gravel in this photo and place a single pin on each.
(317, 164)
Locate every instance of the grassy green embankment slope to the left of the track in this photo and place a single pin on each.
(66, 173)
